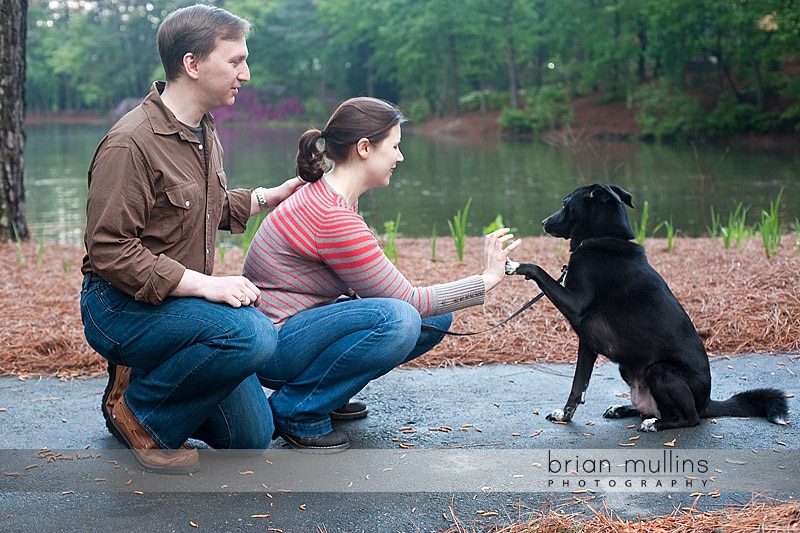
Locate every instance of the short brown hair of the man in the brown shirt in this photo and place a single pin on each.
(196, 30)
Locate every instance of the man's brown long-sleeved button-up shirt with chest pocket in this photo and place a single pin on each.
(157, 196)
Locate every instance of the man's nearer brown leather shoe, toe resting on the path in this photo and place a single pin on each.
(146, 451)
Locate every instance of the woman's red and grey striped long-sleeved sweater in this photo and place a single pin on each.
(313, 248)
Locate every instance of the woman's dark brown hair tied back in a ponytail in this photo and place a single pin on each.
(355, 119)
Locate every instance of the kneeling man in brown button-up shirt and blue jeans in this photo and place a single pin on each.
(182, 346)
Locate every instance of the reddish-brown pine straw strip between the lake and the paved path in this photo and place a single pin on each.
(740, 302)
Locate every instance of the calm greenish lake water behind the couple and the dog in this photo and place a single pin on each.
(520, 180)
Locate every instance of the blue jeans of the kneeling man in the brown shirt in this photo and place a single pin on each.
(193, 365)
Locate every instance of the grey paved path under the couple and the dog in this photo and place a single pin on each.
(441, 447)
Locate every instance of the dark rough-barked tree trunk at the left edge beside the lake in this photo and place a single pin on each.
(13, 30)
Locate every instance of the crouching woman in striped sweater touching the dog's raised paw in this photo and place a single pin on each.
(313, 248)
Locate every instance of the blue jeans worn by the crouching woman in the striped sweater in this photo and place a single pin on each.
(325, 355)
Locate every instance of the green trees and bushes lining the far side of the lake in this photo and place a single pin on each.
(436, 59)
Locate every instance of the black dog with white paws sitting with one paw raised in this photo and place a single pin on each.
(622, 308)
